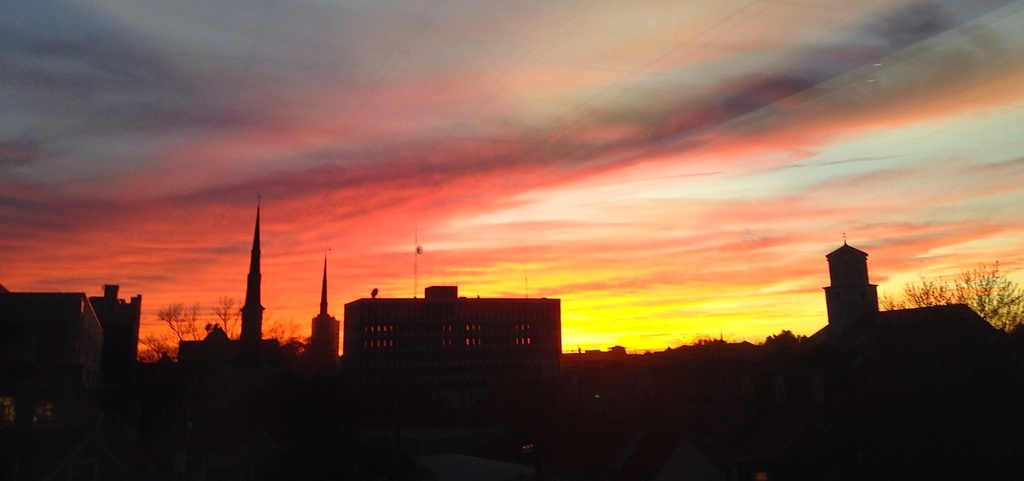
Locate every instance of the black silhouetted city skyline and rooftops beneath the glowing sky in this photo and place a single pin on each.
(931, 391)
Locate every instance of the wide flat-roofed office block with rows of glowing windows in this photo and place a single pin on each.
(447, 341)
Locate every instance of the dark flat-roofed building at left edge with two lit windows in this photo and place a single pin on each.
(52, 347)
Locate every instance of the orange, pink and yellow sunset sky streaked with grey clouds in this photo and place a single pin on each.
(669, 169)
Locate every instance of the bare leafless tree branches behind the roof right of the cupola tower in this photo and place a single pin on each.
(986, 289)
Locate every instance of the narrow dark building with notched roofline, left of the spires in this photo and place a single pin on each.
(120, 321)
